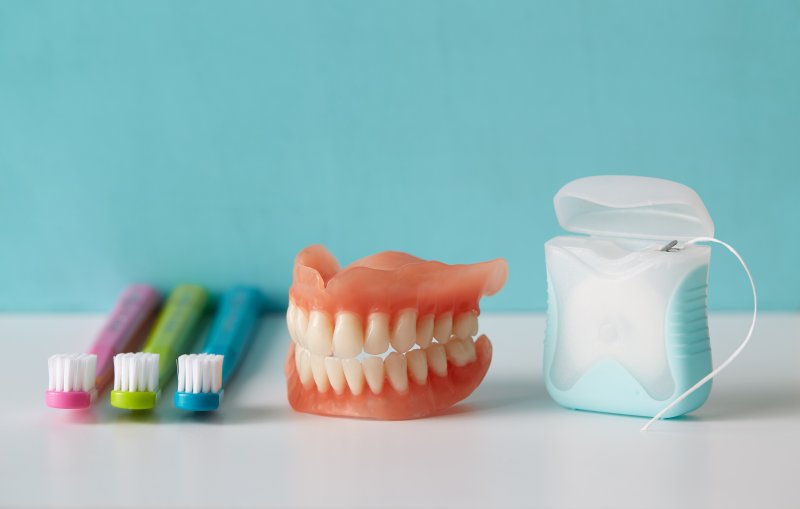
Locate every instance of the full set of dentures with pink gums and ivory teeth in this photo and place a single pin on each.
(390, 336)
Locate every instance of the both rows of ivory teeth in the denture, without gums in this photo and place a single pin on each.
(331, 357)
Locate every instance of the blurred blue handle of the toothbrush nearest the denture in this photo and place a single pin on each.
(234, 326)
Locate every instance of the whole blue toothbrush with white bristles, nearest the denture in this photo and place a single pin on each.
(203, 377)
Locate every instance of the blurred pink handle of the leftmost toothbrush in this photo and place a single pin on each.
(133, 307)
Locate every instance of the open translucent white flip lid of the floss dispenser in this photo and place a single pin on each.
(632, 207)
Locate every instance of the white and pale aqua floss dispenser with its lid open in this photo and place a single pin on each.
(627, 327)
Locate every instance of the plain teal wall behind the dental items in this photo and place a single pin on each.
(210, 141)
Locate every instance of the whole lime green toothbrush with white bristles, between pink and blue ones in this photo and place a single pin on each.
(140, 377)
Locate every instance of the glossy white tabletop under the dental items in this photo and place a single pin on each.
(508, 445)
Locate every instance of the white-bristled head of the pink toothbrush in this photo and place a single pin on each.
(71, 381)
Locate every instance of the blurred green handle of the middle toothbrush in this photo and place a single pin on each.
(175, 326)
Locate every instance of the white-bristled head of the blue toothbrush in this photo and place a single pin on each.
(199, 382)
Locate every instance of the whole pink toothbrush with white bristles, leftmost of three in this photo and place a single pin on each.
(75, 379)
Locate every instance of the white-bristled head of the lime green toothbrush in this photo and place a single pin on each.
(135, 381)
